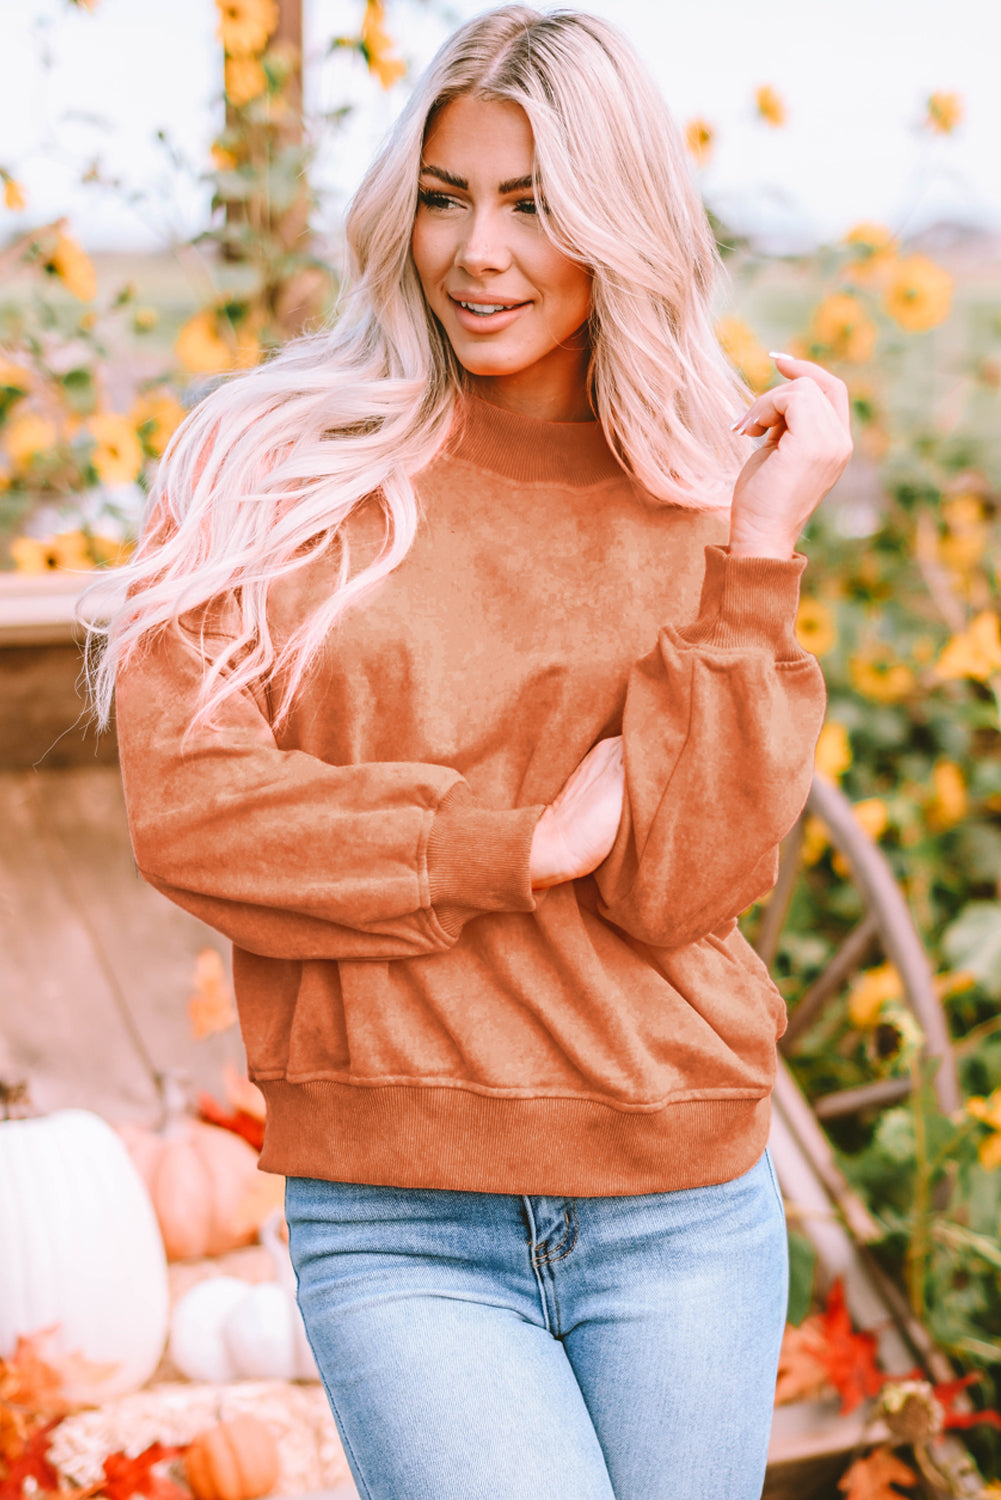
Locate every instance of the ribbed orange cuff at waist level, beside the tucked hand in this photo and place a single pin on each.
(478, 859)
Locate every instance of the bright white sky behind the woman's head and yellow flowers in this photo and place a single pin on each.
(855, 77)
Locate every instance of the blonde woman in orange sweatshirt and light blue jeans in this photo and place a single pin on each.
(469, 706)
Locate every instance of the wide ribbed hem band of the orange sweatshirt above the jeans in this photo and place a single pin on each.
(421, 1136)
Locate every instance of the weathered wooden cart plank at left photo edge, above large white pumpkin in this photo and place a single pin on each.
(61, 1022)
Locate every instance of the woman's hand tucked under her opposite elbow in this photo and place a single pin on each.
(579, 827)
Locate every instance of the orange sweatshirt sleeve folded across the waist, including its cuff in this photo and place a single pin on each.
(289, 856)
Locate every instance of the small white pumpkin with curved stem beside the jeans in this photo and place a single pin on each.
(227, 1330)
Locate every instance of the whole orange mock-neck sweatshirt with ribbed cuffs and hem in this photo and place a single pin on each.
(415, 1015)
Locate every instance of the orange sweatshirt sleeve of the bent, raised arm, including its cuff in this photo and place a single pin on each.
(720, 731)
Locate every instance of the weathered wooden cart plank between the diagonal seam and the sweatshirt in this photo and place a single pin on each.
(148, 946)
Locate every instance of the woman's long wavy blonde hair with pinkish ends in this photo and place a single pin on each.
(265, 472)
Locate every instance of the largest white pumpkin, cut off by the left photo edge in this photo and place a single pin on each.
(80, 1249)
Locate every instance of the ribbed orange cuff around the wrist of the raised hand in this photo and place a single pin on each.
(750, 602)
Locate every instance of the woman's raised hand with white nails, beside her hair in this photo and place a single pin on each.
(808, 425)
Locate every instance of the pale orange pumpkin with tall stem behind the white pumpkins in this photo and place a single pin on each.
(199, 1178)
